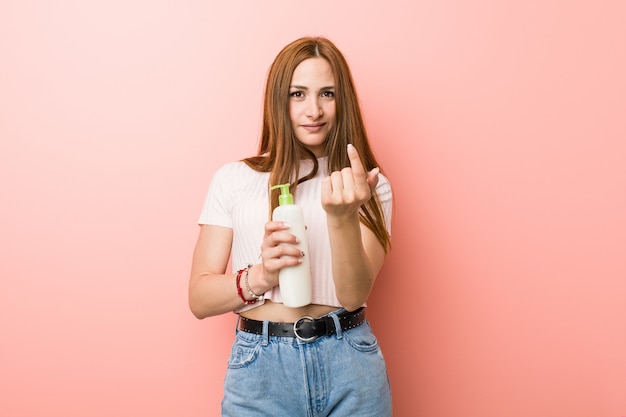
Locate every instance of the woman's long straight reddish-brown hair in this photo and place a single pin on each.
(280, 151)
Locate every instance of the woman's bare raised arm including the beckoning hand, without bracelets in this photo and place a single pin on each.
(357, 256)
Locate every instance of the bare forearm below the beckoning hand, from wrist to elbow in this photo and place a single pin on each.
(353, 272)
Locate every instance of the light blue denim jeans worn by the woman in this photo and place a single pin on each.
(339, 375)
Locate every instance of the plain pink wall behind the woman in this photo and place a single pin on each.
(501, 124)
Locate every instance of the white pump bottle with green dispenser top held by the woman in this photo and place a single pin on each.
(294, 281)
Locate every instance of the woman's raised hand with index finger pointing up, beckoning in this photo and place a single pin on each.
(343, 192)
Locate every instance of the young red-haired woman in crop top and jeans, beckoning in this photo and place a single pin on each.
(321, 359)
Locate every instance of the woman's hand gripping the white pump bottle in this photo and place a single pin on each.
(278, 250)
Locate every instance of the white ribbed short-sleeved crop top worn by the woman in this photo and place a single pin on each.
(238, 199)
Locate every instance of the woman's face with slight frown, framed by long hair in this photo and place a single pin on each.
(312, 103)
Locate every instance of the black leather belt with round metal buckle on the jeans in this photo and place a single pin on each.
(306, 328)
